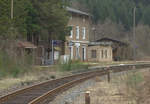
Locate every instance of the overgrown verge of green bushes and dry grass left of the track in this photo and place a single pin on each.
(15, 73)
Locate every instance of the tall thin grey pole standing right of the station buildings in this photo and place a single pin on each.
(134, 43)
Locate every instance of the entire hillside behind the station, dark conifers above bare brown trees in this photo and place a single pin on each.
(114, 19)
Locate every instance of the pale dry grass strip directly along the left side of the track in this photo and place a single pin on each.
(37, 75)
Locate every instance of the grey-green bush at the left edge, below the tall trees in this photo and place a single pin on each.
(10, 66)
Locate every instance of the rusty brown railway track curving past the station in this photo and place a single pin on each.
(45, 92)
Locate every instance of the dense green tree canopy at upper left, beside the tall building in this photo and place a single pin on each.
(33, 17)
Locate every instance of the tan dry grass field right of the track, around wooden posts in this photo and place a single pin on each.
(123, 89)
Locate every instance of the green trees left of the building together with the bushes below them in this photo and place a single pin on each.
(46, 19)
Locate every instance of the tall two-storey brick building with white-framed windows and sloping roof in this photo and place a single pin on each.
(76, 45)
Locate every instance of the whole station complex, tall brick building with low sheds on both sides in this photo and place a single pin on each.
(77, 45)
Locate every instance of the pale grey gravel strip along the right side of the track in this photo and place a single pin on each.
(70, 96)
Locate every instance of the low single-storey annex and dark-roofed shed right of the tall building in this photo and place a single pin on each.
(108, 49)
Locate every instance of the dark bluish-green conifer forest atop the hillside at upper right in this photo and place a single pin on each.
(119, 11)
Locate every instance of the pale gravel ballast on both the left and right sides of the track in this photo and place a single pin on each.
(69, 96)
